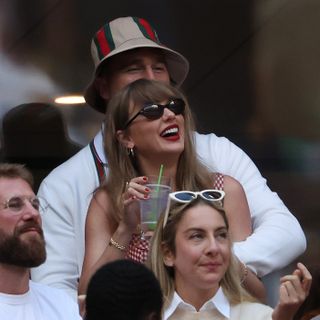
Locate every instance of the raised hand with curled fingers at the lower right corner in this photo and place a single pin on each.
(293, 291)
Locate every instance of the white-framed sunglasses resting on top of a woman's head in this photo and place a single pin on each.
(212, 195)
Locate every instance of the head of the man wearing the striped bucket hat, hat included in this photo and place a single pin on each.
(126, 49)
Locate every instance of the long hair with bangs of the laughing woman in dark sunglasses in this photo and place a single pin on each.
(124, 167)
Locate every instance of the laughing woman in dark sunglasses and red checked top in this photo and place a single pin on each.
(148, 124)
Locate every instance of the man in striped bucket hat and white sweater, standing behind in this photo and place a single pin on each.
(124, 50)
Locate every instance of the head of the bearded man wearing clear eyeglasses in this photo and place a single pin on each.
(21, 236)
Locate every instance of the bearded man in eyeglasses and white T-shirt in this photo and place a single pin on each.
(22, 246)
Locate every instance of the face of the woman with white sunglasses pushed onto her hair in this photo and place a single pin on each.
(202, 253)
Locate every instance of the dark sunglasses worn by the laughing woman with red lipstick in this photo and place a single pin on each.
(153, 111)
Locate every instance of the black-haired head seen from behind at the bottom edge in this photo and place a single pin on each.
(123, 290)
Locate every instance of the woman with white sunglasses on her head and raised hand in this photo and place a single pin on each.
(192, 258)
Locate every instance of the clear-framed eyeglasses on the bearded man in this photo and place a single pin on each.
(16, 204)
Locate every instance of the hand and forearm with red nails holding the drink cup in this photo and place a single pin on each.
(135, 190)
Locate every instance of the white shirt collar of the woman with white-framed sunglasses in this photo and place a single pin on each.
(218, 301)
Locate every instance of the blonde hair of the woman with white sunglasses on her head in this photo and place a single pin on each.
(164, 239)
